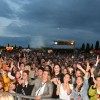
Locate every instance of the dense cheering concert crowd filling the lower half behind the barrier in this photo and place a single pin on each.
(50, 75)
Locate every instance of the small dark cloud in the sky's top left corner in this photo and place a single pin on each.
(5, 10)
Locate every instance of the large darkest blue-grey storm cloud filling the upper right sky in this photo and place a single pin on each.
(82, 14)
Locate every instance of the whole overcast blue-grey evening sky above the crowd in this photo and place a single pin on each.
(40, 22)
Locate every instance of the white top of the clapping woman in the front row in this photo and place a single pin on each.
(63, 93)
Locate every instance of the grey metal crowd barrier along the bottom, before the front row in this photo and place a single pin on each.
(23, 97)
